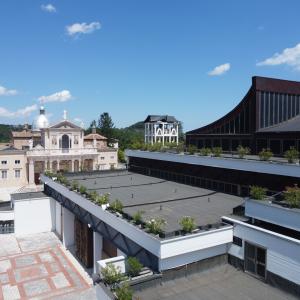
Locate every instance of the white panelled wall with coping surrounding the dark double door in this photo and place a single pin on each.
(283, 253)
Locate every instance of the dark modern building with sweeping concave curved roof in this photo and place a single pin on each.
(267, 117)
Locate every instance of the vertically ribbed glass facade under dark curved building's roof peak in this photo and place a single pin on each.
(275, 108)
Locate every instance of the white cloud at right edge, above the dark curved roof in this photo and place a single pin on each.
(289, 56)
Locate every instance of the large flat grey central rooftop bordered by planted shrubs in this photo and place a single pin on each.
(161, 198)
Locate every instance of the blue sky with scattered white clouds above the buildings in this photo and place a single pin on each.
(191, 59)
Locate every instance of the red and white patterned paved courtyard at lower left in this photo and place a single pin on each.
(36, 267)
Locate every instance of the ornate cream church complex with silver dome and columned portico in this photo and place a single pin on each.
(58, 147)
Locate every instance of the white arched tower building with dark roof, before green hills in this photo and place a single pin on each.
(161, 129)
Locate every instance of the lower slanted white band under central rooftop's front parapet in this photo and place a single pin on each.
(190, 257)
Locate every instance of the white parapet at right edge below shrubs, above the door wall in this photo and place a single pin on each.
(273, 213)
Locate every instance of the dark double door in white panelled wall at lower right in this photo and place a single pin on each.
(255, 260)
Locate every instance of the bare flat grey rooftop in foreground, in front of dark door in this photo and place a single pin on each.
(221, 283)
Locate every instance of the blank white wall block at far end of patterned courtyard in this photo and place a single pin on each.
(34, 215)
